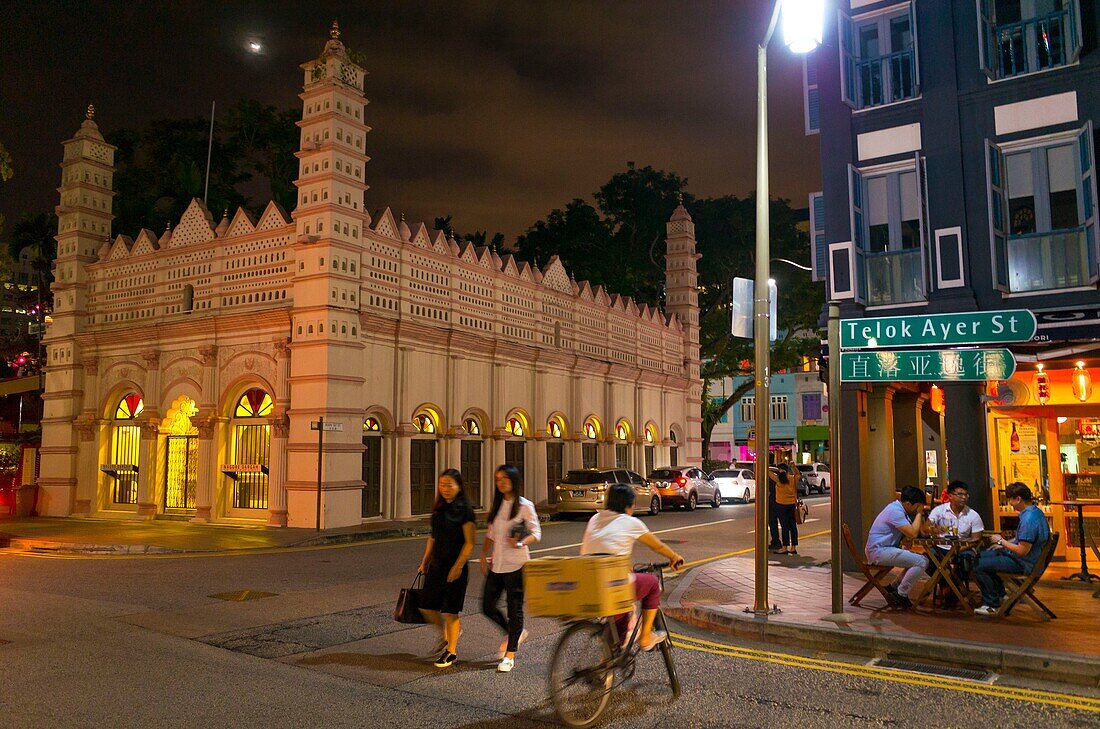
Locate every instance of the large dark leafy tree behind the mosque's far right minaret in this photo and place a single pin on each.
(622, 247)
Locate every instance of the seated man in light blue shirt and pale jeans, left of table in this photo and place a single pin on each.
(900, 520)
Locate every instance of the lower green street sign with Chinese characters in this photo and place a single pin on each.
(928, 366)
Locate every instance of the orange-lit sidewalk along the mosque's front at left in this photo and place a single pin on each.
(123, 537)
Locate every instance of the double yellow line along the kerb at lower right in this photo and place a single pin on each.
(1035, 697)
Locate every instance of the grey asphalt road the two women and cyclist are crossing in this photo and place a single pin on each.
(135, 643)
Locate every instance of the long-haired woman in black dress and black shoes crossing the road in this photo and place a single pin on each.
(445, 562)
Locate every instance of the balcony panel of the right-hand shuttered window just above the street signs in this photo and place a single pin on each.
(1055, 260)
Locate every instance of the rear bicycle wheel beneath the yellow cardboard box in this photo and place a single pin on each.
(581, 675)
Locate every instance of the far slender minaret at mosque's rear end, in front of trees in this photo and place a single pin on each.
(681, 299)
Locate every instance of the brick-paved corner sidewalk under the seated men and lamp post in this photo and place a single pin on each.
(716, 595)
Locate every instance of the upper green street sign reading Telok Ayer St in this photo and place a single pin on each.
(939, 330)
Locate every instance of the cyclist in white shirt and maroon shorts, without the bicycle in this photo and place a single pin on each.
(614, 532)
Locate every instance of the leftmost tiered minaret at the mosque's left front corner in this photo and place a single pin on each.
(84, 223)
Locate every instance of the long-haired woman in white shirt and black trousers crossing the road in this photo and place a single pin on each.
(513, 525)
